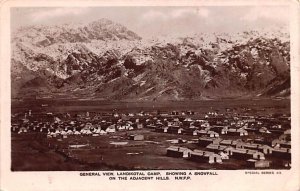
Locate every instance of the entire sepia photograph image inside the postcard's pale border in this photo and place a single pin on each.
(150, 88)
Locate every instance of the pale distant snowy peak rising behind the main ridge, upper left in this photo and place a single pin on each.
(102, 29)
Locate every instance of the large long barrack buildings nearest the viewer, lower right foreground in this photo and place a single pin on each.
(253, 151)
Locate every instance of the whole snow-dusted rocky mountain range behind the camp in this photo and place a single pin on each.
(105, 60)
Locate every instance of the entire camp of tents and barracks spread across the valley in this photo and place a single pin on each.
(219, 137)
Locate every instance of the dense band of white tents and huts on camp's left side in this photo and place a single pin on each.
(64, 126)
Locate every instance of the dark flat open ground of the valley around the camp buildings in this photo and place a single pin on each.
(35, 152)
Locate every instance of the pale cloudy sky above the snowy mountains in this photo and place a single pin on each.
(154, 21)
